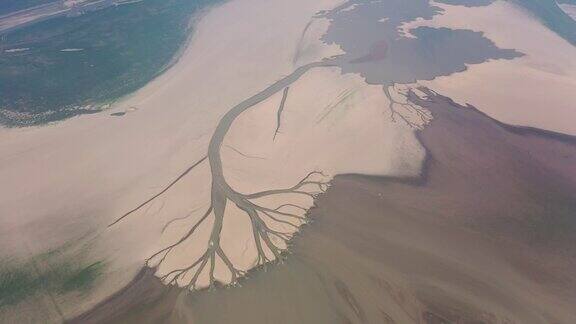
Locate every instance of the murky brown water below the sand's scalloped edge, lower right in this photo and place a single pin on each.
(486, 235)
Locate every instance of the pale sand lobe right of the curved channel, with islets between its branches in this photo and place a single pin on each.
(331, 123)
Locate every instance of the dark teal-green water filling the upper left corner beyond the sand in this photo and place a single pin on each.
(107, 54)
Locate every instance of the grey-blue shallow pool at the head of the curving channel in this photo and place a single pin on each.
(369, 34)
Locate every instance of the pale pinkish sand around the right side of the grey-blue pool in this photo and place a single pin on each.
(533, 90)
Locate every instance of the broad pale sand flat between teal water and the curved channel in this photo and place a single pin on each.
(74, 177)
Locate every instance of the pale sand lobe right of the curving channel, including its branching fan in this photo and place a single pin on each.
(317, 121)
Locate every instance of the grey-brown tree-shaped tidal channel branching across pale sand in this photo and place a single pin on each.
(261, 217)
